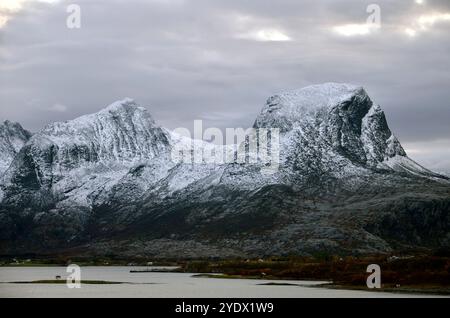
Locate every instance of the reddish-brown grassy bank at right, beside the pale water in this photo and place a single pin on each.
(407, 272)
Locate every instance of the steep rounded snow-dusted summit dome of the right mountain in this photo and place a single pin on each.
(336, 119)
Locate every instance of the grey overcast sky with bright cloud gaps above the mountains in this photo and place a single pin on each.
(220, 60)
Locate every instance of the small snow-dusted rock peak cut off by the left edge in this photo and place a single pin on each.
(12, 138)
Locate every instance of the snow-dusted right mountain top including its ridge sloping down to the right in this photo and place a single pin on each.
(337, 129)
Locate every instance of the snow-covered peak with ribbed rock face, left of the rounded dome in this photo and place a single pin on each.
(116, 137)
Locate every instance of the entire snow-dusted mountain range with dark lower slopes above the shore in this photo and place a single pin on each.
(107, 184)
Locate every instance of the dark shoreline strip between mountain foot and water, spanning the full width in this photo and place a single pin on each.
(406, 274)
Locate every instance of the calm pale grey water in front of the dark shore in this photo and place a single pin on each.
(158, 285)
